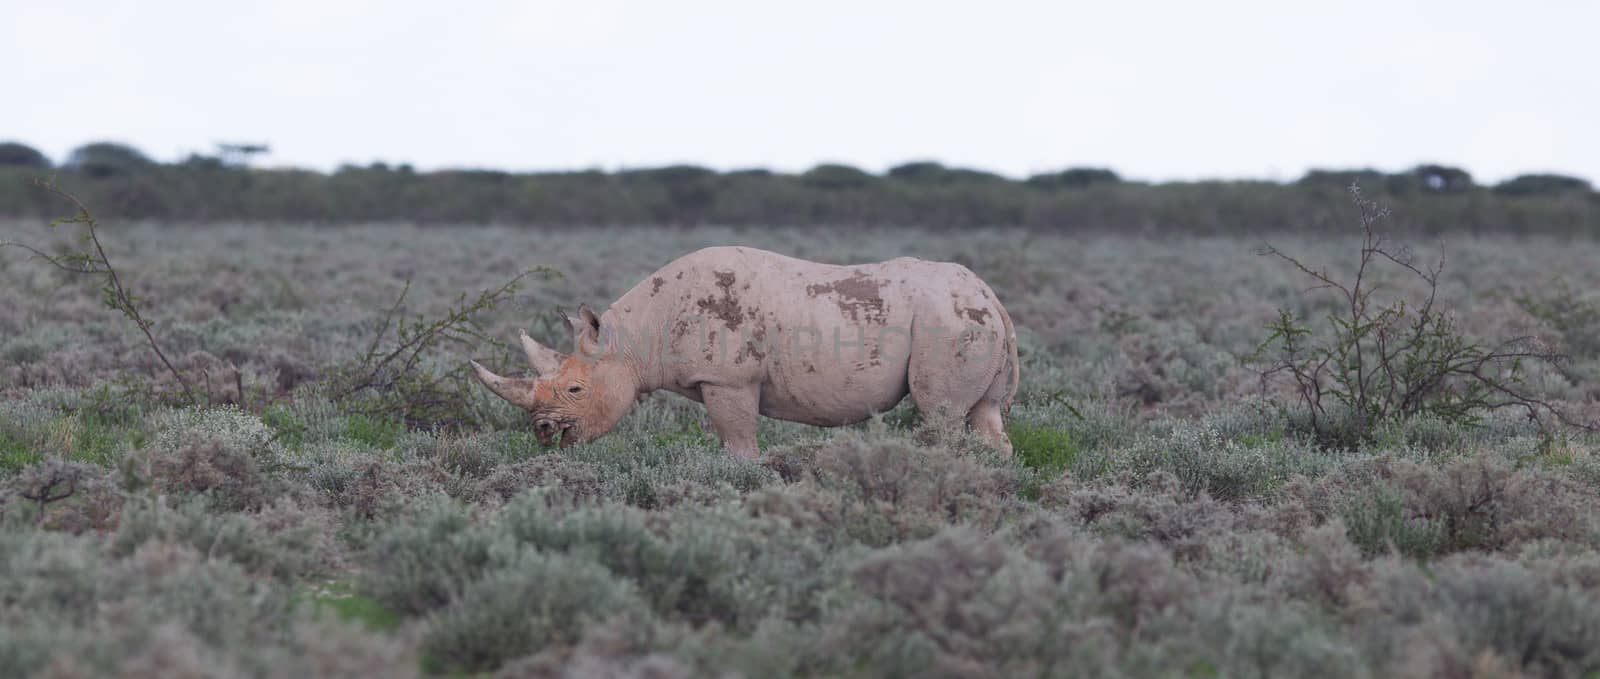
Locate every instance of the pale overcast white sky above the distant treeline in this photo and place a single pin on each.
(1158, 90)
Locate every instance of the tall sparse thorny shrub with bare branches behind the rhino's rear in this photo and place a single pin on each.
(1383, 361)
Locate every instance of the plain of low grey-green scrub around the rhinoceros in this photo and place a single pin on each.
(1167, 513)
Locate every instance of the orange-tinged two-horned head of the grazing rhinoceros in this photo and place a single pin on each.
(577, 396)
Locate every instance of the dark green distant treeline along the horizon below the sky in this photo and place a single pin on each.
(121, 182)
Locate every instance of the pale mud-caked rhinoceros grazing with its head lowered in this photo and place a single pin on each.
(750, 332)
